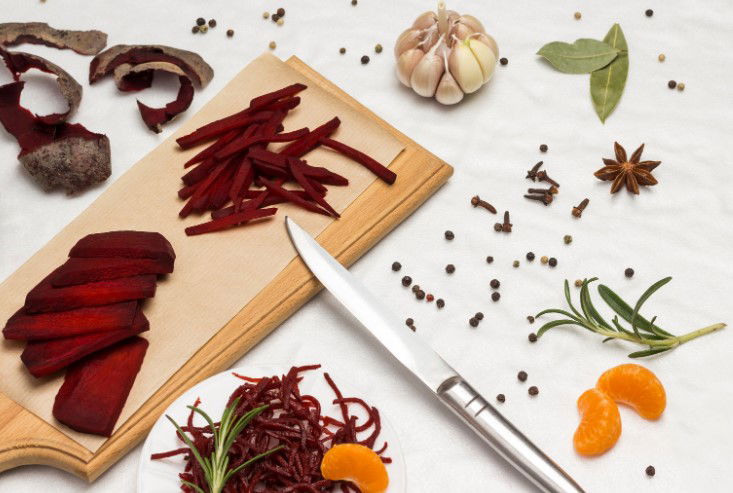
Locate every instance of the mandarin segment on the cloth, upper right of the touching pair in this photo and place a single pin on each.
(635, 386)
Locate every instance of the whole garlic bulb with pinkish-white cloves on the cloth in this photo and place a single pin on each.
(445, 55)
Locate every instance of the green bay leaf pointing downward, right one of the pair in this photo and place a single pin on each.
(607, 84)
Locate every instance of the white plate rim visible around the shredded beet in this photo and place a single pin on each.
(161, 476)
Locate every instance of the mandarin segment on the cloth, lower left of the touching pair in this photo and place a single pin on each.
(600, 423)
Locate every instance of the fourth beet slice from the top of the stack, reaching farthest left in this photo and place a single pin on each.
(71, 322)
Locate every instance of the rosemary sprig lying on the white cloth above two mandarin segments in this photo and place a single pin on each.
(642, 332)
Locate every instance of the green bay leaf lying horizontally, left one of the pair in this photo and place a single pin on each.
(582, 57)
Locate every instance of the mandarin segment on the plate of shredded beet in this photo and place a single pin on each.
(357, 464)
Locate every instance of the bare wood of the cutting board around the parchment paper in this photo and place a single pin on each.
(27, 439)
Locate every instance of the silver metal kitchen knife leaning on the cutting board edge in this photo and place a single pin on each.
(431, 369)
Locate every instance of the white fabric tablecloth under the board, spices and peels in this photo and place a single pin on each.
(680, 228)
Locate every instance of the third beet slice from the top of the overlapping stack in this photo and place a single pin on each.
(45, 298)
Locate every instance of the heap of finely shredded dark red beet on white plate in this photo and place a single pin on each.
(293, 420)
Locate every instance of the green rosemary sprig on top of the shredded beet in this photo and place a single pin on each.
(216, 466)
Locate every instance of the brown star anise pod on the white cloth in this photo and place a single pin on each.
(627, 171)
